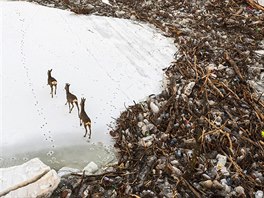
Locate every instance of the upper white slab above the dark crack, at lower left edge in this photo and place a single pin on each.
(17, 176)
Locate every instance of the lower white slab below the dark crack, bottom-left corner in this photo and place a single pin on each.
(40, 188)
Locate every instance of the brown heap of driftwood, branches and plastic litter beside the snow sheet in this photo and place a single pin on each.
(203, 134)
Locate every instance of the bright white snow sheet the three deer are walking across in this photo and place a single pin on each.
(109, 61)
